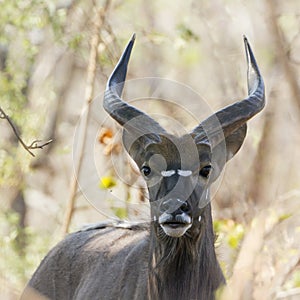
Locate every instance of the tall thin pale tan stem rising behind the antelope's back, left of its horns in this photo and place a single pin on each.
(100, 16)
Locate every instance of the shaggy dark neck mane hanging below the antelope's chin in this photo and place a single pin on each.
(185, 267)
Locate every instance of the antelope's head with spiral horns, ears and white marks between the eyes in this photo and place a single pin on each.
(179, 170)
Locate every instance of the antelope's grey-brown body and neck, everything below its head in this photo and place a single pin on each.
(113, 263)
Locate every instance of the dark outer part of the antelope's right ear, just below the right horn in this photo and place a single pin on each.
(235, 141)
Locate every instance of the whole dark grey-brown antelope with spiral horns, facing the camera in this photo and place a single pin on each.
(172, 257)
